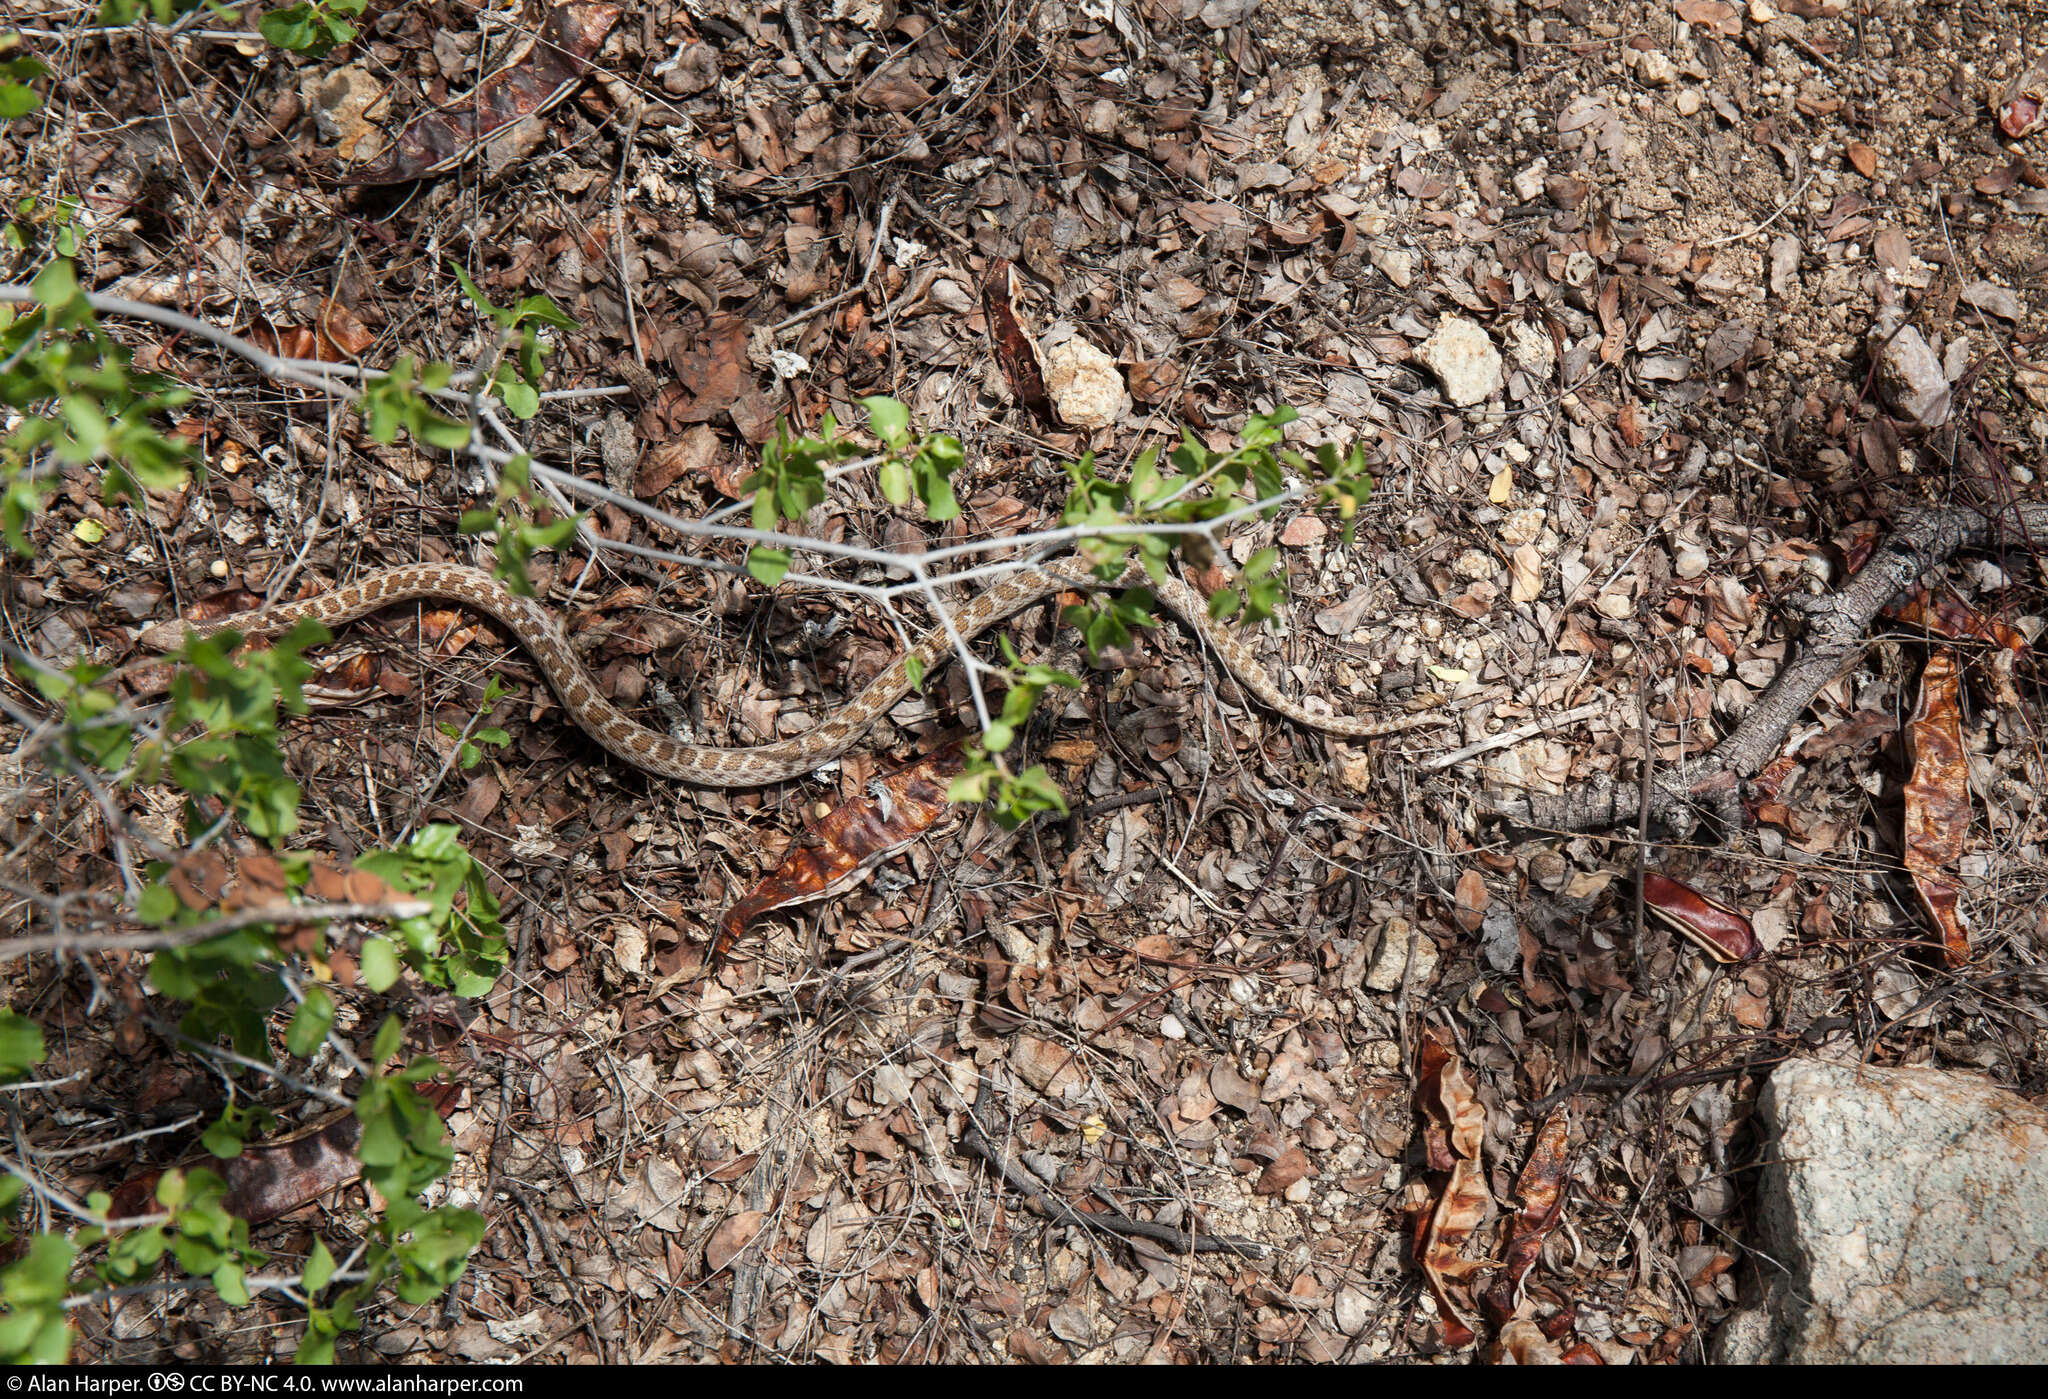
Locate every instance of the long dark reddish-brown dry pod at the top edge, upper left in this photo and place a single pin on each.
(552, 69)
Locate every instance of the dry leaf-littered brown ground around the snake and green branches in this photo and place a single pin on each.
(1650, 316)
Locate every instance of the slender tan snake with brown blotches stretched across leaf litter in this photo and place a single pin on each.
(699, 765)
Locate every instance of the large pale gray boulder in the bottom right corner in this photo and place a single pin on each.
(1904, 1220)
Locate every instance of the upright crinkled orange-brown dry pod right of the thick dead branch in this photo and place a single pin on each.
(1938, 800)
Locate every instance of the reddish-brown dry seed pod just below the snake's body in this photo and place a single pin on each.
(849, 843)
